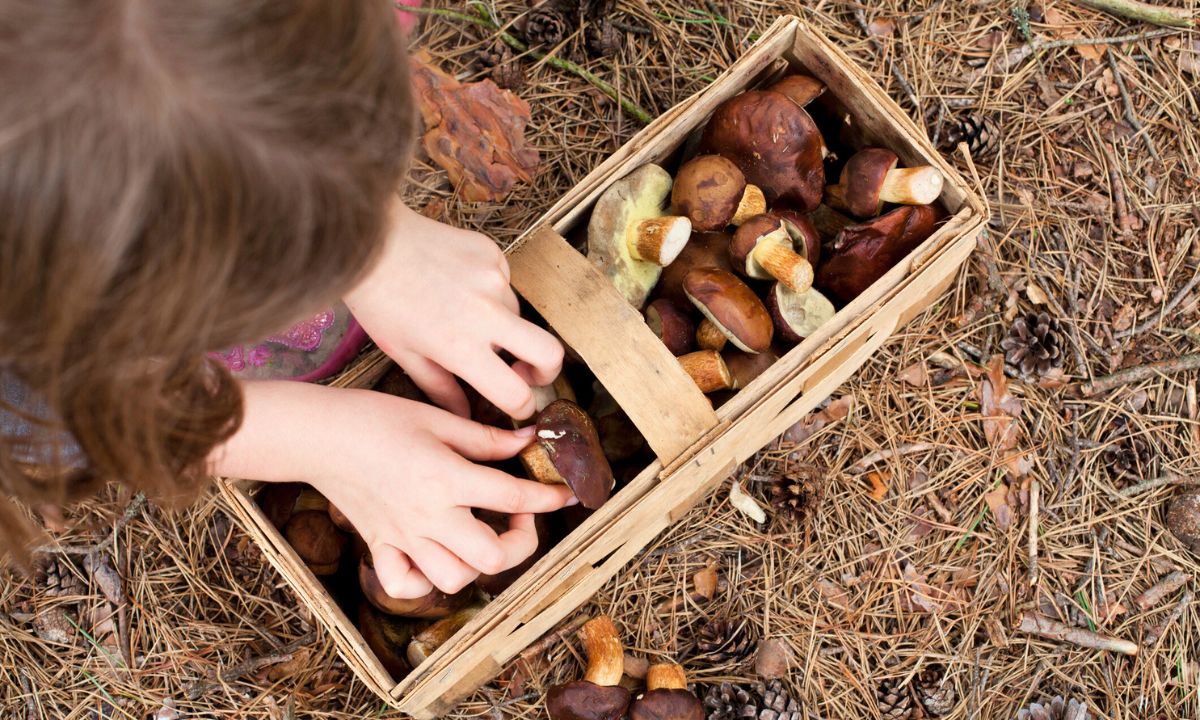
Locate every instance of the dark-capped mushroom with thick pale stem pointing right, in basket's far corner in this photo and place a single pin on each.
(872, 178)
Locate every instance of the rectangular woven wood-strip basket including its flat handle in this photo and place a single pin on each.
(698, 447)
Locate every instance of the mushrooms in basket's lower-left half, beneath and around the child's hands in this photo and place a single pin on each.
(569, 448)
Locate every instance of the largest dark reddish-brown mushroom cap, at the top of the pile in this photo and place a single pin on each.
(776, 145)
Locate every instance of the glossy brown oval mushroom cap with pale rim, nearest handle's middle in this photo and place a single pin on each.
(731, 307)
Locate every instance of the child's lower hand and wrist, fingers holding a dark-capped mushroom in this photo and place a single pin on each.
(403, 473)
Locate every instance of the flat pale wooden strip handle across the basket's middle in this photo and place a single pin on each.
(611, 337)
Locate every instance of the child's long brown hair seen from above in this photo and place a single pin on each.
(176, 178)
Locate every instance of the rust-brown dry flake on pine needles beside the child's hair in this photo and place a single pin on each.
(475, 131)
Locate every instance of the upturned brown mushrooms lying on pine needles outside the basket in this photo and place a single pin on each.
(602, 697)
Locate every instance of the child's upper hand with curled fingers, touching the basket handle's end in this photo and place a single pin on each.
(440, 304)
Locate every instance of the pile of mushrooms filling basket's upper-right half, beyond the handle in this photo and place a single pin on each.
(747, 251)
